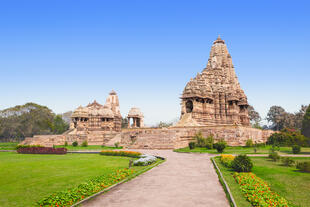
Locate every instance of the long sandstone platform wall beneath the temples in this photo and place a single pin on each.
(155, 138)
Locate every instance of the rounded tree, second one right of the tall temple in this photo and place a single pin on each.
(276, 115)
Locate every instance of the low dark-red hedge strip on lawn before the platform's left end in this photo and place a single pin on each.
(41, 150)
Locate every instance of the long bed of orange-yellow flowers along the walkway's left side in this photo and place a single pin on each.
(90, 187)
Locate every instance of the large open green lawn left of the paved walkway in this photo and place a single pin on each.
(25, 179)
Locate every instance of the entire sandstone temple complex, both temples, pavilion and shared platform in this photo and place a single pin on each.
(212, 103)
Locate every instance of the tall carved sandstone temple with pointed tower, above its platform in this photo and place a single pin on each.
(214, 96)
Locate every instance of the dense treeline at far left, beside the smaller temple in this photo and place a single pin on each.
(30, 119)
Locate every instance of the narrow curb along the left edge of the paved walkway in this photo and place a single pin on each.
(123, 181)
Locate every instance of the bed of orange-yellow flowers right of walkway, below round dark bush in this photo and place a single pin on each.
(258, 192)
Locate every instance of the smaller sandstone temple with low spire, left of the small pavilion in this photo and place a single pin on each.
(97, 117)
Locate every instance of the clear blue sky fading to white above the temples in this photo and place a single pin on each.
(63, 54)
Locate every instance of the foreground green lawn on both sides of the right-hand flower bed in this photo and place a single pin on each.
(287, 181)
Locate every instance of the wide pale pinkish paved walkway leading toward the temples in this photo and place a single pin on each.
(183, 180)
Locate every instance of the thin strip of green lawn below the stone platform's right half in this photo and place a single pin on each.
(243, 150)
